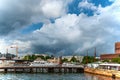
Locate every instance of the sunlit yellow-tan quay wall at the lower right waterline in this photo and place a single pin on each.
(104, 72)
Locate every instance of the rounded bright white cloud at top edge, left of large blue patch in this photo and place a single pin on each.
(53, 9)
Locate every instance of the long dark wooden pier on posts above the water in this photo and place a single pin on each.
(46, 69)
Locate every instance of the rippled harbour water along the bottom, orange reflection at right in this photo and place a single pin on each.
(28, 76)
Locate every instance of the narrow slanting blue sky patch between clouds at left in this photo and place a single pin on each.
(31, 28)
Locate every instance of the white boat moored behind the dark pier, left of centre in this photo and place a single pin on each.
(42, 63)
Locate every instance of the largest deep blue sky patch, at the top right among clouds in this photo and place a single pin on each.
(74, 9)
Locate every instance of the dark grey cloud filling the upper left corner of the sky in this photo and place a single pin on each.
(14, 16)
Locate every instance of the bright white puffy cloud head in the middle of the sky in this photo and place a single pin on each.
(63, 29)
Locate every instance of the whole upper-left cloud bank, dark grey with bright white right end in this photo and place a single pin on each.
(17, 14)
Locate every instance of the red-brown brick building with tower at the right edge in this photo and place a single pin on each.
(111, 56)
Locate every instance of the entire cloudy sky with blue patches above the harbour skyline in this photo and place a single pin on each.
(59, 27)
